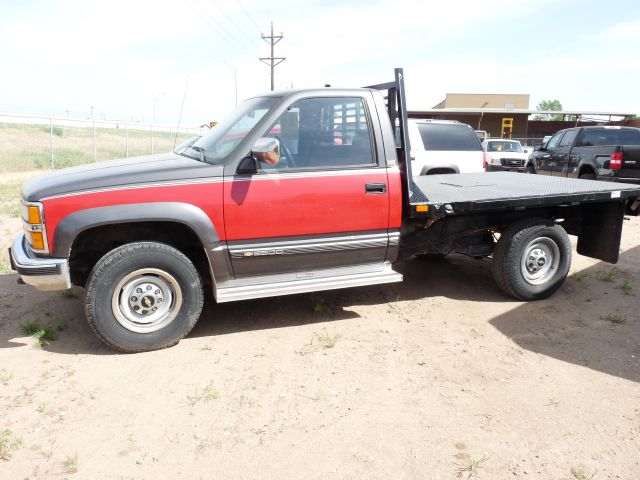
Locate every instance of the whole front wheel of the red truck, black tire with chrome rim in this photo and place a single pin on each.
(127, 318)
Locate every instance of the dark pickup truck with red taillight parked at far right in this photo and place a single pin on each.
(590, 153)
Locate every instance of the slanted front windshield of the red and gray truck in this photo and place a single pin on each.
(226, 135)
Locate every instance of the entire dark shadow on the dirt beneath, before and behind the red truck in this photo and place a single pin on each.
(575, 325)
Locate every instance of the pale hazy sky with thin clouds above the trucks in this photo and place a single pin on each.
(133, 59)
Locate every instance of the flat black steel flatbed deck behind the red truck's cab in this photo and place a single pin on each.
(458, 194)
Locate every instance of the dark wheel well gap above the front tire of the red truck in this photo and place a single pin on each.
(90, 245)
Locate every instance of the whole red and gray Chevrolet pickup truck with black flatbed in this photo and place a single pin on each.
(296, 191)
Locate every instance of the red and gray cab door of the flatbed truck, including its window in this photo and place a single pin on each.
(325, 204)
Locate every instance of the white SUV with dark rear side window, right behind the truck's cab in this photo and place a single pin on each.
(444, 146)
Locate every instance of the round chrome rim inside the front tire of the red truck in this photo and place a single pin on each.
(146, 300)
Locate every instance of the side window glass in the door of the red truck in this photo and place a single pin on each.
(319, 133)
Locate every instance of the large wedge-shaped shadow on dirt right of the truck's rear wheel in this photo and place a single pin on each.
(591, 322)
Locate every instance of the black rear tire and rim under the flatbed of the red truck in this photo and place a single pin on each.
(532, 259)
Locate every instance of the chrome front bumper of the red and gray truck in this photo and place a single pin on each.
(45, 274)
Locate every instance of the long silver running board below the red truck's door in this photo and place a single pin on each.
(287, 284)
